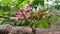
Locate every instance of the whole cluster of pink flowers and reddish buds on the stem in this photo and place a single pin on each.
(21, 15)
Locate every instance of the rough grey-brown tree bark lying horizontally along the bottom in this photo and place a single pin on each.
(8, 29)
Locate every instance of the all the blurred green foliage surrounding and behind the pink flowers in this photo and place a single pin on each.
(7, 7)
